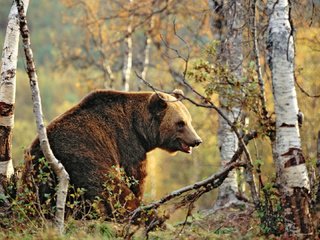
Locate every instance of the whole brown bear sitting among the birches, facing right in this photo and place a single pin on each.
(108, 130)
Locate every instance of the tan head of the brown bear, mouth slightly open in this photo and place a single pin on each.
(176, 130)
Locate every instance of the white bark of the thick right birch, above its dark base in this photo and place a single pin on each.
(281, 60)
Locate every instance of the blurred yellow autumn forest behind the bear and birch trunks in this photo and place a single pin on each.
(59, 36)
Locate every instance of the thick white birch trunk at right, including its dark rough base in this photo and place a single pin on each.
(292, 175)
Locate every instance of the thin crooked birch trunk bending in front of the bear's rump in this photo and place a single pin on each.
(57, 167)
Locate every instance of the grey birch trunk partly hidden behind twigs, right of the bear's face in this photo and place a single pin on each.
(228, 19)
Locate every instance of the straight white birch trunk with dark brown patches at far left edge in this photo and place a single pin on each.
(8, 90)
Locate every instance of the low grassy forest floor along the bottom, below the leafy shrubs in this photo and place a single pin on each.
(224, 224)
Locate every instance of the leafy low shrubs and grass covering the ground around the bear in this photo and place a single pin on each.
(25, 216)
